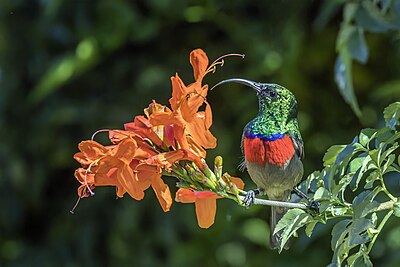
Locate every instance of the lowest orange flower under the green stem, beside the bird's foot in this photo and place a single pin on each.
(205, 202)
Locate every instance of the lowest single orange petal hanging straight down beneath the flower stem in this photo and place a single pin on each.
(205, 211)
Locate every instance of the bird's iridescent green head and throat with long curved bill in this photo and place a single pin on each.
(277, 109)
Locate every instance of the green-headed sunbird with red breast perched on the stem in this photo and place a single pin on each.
(273, 148)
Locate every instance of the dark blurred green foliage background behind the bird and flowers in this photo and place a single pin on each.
(69, 68)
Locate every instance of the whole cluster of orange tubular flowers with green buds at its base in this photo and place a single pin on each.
(163, 142)
